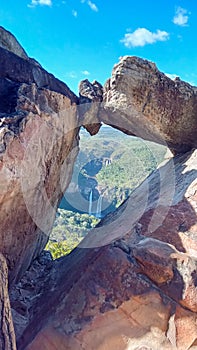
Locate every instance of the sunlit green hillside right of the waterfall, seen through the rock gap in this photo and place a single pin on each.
(130, 165)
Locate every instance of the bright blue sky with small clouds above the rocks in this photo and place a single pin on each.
(78, 39)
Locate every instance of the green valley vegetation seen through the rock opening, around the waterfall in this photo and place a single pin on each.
(131, 160)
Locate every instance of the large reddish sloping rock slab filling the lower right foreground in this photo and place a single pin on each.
(131, 283)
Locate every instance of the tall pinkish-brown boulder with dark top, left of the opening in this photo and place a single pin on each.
(38, 146)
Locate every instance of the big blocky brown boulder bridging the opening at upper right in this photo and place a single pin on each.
(140, 100)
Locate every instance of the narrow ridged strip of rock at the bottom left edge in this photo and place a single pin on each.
(7, 335)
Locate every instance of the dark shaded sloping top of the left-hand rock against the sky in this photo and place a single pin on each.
(26, 70)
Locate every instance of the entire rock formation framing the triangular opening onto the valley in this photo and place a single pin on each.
(132, 282)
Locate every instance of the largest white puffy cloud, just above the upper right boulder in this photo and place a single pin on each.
(143, 36)
